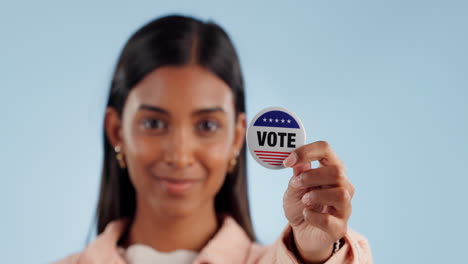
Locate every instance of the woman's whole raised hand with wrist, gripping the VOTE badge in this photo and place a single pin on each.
(317, 202)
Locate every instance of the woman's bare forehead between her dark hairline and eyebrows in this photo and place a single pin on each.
(186, 87)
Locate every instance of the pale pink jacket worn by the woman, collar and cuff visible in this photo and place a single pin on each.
(229, 245)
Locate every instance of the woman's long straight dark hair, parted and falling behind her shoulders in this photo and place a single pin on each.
(173, 40)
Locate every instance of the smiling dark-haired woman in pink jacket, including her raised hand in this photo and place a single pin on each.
(174, 186)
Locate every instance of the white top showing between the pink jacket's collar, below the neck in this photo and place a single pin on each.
(142, 254)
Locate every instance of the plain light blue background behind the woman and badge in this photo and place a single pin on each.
(385, 82)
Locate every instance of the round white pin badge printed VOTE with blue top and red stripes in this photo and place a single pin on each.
(273, 134)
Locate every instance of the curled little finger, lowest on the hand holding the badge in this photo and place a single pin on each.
(327, 223)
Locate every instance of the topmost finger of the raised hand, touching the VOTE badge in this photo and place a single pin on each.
(319, 150)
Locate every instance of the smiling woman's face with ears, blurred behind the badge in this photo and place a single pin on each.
(178, 134)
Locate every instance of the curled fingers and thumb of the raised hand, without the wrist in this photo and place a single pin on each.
(322, 194)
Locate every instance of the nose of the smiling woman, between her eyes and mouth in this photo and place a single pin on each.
(178, 151)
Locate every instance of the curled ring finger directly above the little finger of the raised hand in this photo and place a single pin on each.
(335, 201)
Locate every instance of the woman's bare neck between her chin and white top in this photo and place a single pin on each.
(167, 233)
